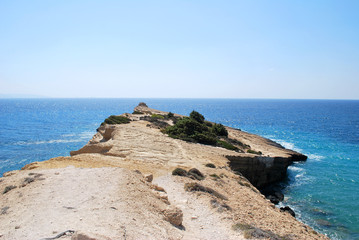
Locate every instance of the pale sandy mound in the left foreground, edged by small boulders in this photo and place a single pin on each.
(102, 202)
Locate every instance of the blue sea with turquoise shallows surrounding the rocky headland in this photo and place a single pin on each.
(323, 191)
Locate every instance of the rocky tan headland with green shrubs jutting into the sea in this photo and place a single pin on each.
(154, 175)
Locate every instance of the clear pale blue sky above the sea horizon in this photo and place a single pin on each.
(180, 49)
